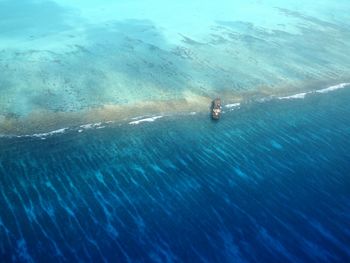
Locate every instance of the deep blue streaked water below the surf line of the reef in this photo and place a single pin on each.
(270, 182)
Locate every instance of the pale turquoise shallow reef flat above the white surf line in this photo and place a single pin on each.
(65, 64)
